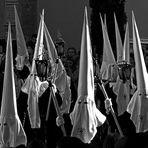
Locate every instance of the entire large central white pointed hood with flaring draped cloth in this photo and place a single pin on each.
(85, 116)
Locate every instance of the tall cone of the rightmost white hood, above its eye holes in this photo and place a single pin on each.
(141, 72)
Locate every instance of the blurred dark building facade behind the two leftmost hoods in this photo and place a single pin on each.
(28, 15)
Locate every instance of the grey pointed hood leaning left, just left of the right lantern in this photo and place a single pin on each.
(108, 56)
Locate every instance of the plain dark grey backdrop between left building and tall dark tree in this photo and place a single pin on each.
(65, 16)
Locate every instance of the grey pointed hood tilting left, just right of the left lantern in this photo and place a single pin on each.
(60, 77)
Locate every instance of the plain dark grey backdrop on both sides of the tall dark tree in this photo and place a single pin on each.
(67, 16)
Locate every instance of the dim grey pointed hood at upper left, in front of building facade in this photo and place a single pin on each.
(22, 52)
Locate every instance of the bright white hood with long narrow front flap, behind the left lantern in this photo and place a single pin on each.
(32, 83)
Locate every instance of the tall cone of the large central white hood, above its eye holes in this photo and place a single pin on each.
(86, 81)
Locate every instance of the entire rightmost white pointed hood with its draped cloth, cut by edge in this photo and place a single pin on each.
(138, 105)
